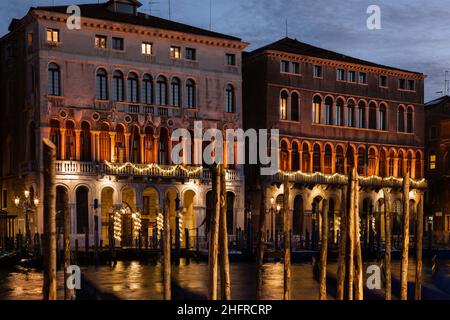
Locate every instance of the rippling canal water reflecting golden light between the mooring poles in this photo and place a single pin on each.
(143, 281)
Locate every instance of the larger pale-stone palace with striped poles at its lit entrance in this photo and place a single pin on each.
(109, 96)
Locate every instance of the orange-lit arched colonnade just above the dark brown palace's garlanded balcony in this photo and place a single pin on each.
(335, 157)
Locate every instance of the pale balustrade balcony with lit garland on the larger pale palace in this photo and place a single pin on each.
(138, 170)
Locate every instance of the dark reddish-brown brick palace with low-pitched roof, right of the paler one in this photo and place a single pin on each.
(334, 112)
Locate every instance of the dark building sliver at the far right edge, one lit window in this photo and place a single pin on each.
(437, 148)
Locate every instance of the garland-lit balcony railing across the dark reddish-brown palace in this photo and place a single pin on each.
(337, 180)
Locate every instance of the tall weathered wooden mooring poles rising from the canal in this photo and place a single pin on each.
(350, 265)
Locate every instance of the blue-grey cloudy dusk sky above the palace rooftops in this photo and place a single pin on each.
(415, 34)
